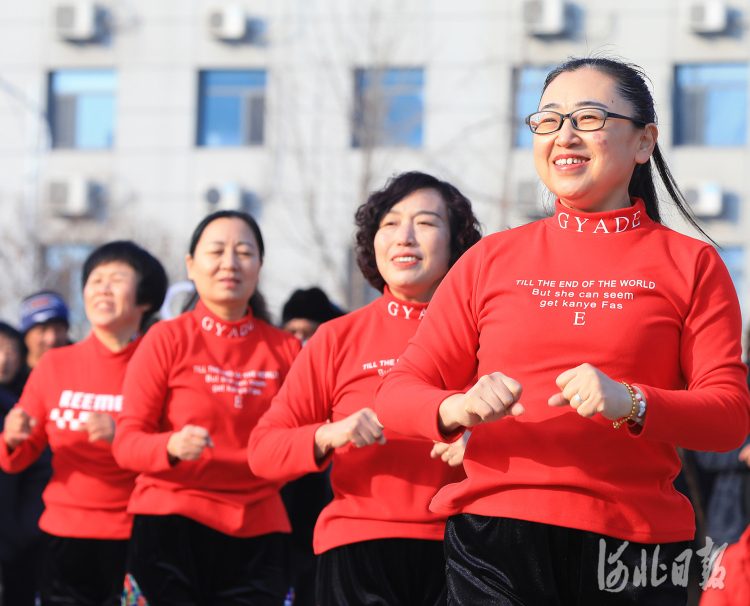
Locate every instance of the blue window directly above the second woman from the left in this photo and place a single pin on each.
(232, 108)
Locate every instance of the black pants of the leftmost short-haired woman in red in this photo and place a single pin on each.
(81, 572)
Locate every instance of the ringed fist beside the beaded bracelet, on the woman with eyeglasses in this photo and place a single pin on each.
(597, 392)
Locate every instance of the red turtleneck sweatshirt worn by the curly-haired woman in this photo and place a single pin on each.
(380, 491)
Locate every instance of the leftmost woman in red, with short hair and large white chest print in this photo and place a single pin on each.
(71, 402)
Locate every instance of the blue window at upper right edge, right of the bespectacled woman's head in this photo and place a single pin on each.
(711, 104)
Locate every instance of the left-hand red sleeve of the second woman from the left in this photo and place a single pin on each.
(139, 443)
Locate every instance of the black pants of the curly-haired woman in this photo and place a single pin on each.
(383, 572)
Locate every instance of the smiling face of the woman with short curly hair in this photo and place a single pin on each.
(412, 245)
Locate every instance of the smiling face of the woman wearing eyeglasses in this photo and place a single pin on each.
(602, 161)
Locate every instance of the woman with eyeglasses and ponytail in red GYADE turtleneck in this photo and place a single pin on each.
(602, 340)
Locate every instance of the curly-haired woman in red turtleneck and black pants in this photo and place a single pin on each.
(379, 542)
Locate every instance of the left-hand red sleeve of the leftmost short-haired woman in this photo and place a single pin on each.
(32, 403)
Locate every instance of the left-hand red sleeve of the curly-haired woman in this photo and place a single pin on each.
(281, 447)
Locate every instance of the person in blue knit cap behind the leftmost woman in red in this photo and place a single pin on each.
(44, 325)
